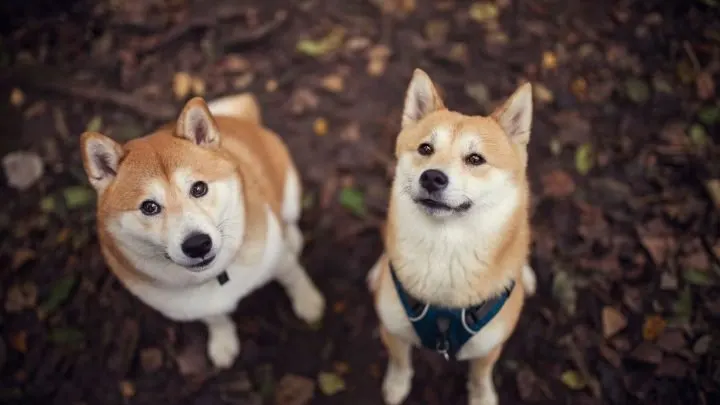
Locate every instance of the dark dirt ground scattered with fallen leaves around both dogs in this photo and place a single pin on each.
(623, 161)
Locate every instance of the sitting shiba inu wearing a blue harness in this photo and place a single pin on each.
(454, 273)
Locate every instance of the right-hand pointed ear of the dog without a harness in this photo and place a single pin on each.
(197, 124)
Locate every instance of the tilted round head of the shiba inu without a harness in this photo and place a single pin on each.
(170, 202)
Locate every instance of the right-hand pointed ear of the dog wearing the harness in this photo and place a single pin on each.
(515, 115)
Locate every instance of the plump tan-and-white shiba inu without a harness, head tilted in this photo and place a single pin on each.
(198, 214)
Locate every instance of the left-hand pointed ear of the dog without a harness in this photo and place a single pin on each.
(101, 159)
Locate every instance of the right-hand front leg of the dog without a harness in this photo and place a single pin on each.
(308, 303)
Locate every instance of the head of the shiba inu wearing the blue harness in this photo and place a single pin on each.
(450, 164)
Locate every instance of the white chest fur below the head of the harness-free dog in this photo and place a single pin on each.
(212, 298)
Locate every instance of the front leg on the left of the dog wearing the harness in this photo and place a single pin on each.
(398, 377)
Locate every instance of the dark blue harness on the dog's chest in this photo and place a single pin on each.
(446, 330)
